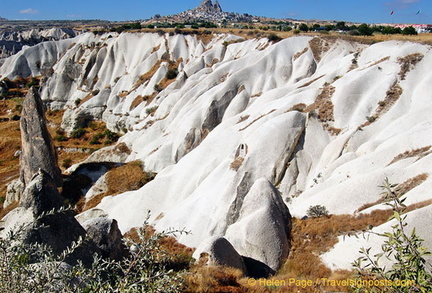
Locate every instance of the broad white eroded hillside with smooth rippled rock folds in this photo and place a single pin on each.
(237, 129)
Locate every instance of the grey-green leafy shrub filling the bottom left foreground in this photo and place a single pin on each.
(148, 267)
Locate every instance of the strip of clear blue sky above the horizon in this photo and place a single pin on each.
(370, 11)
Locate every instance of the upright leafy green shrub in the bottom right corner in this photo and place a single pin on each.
(410, 271)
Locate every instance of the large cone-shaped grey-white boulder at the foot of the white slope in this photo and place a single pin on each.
(263, 228)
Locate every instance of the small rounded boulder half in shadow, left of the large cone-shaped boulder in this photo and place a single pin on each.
(220, 252)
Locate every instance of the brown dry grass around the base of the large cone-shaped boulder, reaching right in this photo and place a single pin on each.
(310, 238)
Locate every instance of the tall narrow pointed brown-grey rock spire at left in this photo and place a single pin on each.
(38, 151)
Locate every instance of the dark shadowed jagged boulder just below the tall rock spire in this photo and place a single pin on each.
(42, 219)
